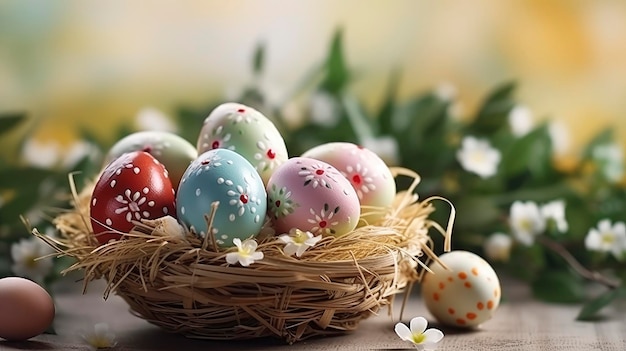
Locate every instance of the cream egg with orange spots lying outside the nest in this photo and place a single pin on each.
(466, 295)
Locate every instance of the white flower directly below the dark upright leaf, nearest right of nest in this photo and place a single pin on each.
(477, 156)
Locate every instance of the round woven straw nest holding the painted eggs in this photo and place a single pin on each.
(184, 285)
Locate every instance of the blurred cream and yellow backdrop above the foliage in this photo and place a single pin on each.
(92, 63)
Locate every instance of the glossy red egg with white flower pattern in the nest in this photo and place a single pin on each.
(132, 187)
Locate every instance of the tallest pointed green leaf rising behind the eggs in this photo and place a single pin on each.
(337, 72)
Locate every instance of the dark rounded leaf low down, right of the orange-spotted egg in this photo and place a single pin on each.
(558, 286)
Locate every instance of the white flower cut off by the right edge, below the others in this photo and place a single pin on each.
(607, 238)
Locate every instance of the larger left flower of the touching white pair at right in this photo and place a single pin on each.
(526, 221)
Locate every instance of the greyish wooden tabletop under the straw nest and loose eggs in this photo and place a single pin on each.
(520, 324)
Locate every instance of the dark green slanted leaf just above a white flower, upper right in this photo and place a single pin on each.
(494, 111)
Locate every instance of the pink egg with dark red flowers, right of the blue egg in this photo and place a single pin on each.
(311, 195)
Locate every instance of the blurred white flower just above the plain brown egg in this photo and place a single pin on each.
(28, 260)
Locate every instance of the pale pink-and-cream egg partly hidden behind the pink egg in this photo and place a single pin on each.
(369, 175)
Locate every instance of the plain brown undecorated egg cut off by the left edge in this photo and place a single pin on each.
(26, 309)
